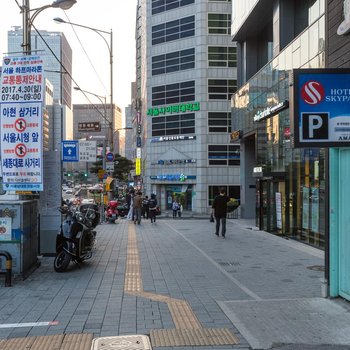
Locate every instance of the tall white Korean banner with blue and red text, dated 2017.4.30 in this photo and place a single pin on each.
(21, 98)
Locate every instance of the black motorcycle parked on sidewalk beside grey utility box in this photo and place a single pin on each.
(76, 238)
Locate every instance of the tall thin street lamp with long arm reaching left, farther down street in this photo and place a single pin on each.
(110, 49)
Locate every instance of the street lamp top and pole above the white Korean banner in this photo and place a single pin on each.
(29, 19)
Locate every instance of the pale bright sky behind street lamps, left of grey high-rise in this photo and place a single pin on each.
(118, 15)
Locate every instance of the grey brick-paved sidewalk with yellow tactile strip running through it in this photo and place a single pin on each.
(184, 287)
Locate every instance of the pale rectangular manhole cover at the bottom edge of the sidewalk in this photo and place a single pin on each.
(129, 342)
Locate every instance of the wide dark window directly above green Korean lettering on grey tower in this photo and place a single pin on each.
(173, 93)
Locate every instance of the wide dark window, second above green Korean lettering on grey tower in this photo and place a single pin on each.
(173, 62)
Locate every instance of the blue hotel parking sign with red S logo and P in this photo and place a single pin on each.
(321, 107)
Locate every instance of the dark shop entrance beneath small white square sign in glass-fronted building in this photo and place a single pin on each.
(270, 207)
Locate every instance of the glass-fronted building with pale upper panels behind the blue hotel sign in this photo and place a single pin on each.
(284, 188)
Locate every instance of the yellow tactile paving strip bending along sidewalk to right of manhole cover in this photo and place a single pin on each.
(188, 330)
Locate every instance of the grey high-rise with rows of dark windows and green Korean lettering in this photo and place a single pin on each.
(186, 74)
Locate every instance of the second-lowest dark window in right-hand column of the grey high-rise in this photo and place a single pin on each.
(228, 155)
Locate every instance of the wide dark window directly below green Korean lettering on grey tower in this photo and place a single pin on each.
(173, 125)
